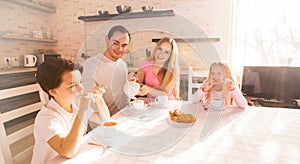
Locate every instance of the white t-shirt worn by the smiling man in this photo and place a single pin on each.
(103, 71)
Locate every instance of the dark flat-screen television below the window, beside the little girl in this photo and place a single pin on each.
(280, 83)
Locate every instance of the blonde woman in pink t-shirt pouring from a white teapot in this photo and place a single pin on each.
(160, 72)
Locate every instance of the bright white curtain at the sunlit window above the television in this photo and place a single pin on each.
(266, 33)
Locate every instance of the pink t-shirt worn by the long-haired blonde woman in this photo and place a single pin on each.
(151, 79)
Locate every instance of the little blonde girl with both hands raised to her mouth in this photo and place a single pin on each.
(219, 85)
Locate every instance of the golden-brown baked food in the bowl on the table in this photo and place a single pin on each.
(180, 117)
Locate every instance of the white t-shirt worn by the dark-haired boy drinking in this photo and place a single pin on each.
(52, 119)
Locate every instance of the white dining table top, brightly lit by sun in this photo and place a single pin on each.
(253, 135)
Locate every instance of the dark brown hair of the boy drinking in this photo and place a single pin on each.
(49, 73)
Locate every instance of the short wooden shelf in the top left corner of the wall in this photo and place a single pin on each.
(32, 5)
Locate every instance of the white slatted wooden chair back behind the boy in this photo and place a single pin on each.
(20, 100)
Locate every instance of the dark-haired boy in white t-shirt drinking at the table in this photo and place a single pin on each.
(61, 123)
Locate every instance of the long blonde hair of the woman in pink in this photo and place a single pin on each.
(170, 69)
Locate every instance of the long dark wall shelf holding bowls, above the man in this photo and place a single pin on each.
(129, 15)
